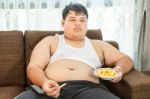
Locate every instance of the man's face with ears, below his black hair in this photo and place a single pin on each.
(75, 25)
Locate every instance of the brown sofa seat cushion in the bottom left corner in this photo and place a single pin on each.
(9, 92)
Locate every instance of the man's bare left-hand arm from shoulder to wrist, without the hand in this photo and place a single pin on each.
(38, 61)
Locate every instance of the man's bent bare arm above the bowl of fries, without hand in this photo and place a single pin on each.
(113, 57)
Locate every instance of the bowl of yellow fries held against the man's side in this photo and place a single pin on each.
(105, 73)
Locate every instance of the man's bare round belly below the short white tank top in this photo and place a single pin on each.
(64, 70)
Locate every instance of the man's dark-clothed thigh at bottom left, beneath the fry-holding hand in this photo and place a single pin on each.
(30, 94)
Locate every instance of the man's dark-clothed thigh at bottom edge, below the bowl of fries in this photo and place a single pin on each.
(96, 93)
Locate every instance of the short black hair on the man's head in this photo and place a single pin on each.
(77, 7)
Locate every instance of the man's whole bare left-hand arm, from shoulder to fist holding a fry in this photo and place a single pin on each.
(39, 60)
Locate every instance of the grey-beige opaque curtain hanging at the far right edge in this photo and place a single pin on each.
(144, 39)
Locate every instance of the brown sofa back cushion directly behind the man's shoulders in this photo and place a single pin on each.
(33, 37)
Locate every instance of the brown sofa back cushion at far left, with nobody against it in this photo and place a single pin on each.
(12, 63)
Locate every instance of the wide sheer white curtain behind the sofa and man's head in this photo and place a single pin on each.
(117, 19)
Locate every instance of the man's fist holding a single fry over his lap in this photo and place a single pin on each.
(51, 88)
